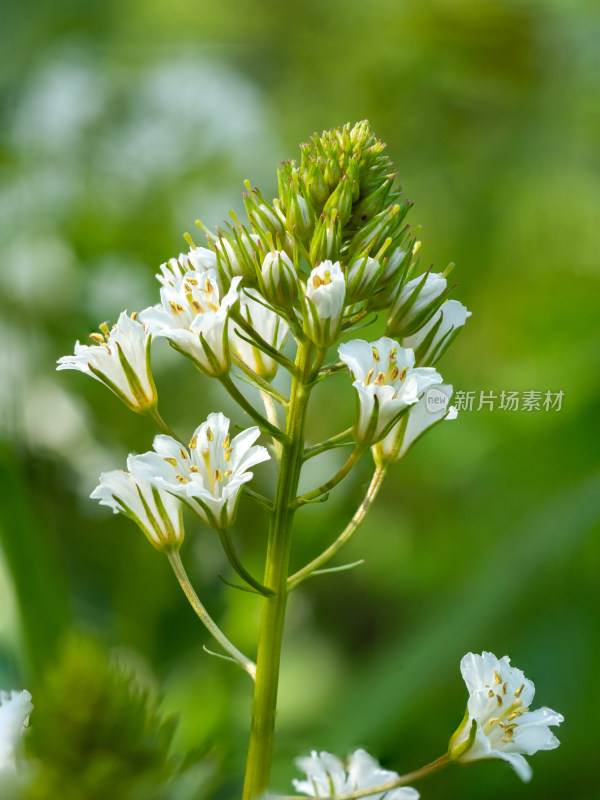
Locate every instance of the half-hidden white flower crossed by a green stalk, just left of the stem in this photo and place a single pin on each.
(268, 325)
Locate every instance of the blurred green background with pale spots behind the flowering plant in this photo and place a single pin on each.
(121, 123)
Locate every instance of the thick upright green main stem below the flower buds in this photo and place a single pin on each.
(260, 752)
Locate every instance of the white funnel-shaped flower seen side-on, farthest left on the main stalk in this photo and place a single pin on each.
(121, 360)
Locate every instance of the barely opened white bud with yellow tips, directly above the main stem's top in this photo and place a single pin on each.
(325, 300)
